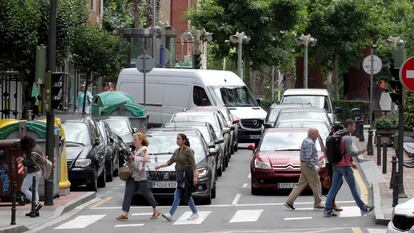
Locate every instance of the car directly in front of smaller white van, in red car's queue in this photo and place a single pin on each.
(303, 113)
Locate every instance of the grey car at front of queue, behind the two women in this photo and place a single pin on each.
(162, 144)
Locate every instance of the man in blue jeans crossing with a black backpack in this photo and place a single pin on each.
(343, 168)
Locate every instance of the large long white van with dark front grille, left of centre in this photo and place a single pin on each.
(173, 90)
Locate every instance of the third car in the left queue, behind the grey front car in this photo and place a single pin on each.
(214, 119)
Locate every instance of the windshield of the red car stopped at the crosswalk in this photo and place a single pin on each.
(280, 141)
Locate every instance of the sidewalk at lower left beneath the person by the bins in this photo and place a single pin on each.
(60, 206)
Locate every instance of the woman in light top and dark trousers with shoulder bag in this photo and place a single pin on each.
(138, 179)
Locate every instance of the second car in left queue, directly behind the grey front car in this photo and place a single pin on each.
(209, 135)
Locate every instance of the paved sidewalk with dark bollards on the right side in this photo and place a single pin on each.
(380, 183)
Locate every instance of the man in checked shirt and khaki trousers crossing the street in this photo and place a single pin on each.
(309, 172)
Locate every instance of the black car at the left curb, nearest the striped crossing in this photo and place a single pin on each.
(85, 152)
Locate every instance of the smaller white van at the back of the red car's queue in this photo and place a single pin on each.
(318, 98)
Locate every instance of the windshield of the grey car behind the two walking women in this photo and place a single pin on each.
(165, 145)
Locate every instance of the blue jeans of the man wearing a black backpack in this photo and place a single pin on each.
(348, 174)
